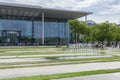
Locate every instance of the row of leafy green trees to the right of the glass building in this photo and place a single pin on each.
(101, 32)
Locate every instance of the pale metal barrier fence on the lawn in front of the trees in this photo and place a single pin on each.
(91, 49)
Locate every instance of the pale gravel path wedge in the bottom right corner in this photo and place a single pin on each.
(113, 76)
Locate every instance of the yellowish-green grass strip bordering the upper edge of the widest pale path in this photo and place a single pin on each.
(57, 62)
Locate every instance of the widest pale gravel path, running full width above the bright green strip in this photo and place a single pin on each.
(20, 72)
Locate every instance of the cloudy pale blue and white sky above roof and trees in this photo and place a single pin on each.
(103, 10)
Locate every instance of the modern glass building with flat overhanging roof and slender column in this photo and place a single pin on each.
(35, 24)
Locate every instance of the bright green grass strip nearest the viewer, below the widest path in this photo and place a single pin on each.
(66, 75)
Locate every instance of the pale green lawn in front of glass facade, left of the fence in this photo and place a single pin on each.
(17, 51)
